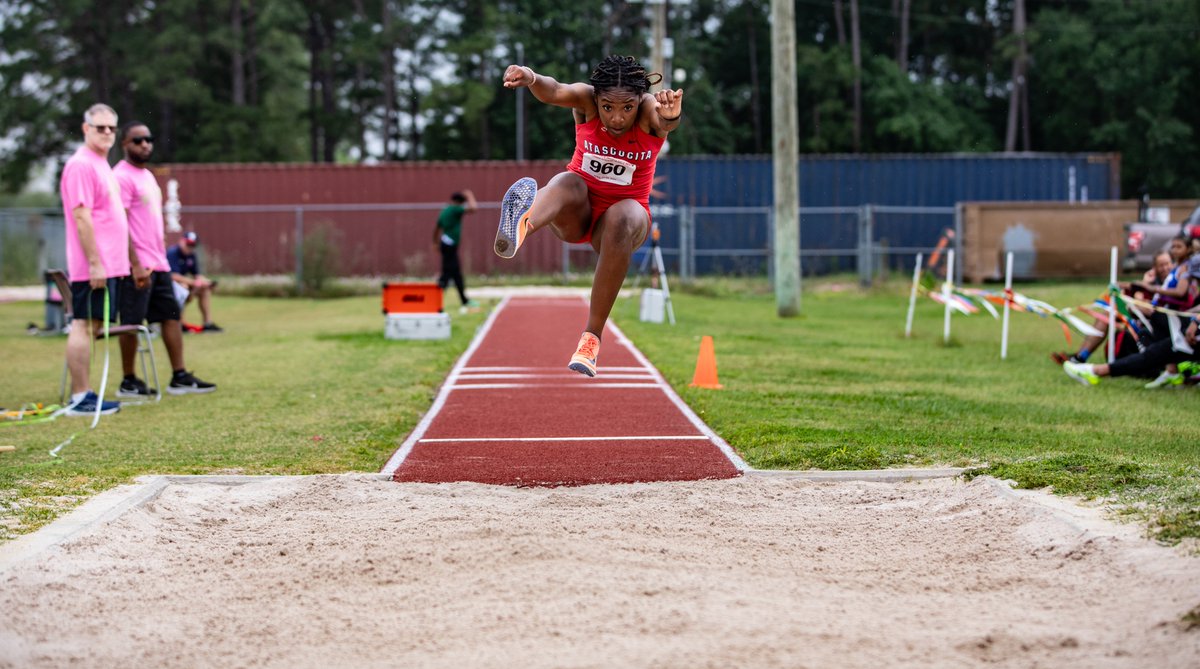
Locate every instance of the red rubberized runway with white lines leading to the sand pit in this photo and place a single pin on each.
(512, 413)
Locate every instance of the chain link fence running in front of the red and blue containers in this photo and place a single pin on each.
(397, 240)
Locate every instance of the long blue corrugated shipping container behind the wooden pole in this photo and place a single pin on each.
(737, 240)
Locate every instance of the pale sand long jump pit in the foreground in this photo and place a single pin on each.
(357, 571)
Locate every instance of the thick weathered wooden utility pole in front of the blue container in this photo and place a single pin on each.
(787, 159)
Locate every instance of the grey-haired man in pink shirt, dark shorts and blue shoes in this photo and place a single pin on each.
(98, 243)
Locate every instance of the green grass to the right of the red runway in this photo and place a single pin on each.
(841, 388)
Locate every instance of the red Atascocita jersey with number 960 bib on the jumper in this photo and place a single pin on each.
(615, 168)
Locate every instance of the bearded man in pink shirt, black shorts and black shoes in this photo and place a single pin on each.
(154, 303)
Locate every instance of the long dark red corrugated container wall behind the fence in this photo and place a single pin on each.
(371, 243)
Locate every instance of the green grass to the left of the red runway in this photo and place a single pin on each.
(305, 388)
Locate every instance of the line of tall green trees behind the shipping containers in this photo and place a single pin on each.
(362, 81)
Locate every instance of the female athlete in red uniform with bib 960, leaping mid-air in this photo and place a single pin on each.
(603, 198)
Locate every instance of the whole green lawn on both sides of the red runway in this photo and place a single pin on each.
(313, 387)
